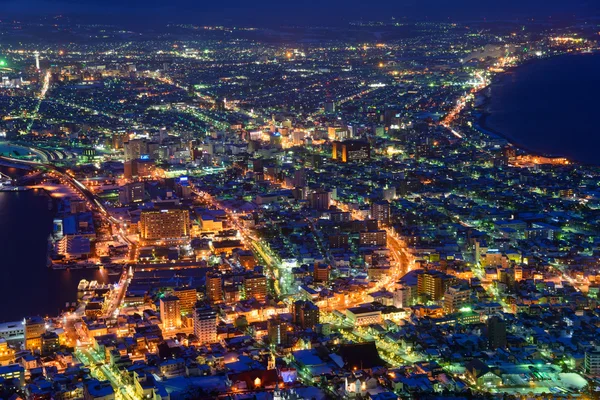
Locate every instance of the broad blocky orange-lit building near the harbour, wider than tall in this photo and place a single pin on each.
(164, 224)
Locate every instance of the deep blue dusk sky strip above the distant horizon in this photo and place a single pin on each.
(305, 11)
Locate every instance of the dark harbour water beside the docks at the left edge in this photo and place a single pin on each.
(27, 286)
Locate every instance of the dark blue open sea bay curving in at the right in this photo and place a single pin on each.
(551, 106)
